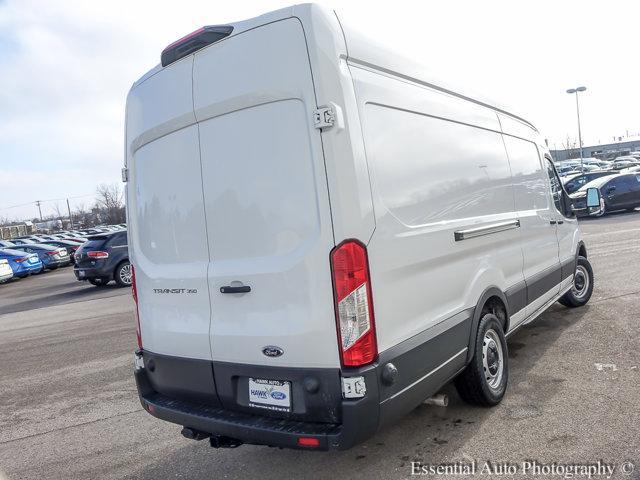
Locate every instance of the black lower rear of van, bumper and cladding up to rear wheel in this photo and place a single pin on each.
(212, 397)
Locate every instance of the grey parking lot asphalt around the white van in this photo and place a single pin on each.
(69, 409)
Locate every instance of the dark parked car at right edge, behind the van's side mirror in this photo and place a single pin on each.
(618, 192)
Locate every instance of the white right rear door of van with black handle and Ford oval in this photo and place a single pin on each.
(266, 201)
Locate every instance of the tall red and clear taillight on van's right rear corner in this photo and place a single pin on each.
(353, 304)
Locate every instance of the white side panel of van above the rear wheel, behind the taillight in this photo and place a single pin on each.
(434, 173)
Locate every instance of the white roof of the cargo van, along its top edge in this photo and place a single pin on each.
(366, 51)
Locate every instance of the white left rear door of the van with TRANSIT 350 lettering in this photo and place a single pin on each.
(167, 228)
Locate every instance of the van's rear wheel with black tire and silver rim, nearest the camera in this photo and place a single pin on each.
(472, 384)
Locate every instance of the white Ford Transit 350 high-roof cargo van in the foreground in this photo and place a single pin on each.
(324, 235)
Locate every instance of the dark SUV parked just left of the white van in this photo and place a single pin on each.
(103, 258)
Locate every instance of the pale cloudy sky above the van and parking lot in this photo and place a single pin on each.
(66, 67)
